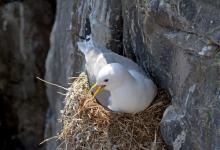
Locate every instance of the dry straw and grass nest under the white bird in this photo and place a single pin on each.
(88, 125)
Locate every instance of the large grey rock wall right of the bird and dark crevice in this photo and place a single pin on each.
(175, 42)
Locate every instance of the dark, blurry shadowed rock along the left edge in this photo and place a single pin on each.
(24, 33)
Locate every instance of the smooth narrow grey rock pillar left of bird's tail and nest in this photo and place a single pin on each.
(63, 61)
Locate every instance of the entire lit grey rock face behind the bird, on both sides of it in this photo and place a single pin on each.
(177, 41)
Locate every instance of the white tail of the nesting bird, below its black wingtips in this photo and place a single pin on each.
(85, 46)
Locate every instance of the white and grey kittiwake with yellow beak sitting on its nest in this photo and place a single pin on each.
(120, 84)
